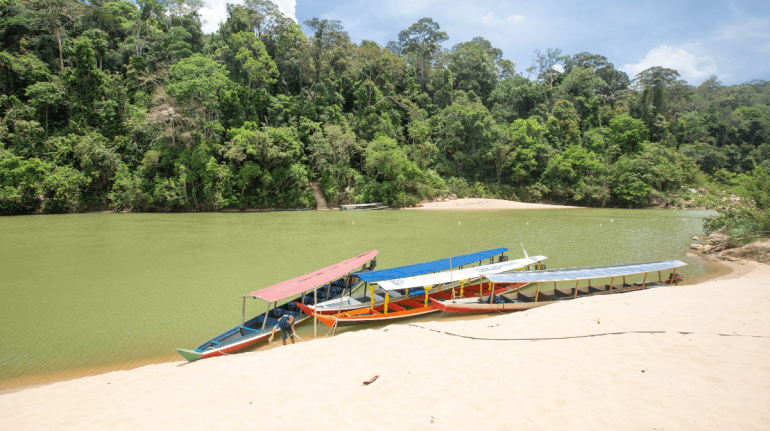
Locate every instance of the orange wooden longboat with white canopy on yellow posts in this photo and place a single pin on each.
(401, 302)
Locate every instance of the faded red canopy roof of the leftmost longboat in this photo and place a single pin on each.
(318, 278)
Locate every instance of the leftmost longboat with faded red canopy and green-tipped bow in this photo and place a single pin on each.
(334, 280)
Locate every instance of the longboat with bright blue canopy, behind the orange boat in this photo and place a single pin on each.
(376, 297)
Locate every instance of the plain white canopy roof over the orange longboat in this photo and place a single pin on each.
(458, 274)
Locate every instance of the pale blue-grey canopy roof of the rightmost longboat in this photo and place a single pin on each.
(572, 274)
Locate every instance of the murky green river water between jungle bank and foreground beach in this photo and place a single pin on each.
(87, 293)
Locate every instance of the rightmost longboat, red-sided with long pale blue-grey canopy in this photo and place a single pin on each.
(515, 300)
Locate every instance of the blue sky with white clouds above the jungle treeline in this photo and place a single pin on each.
(729, 39)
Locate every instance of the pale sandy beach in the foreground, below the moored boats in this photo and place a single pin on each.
(690, 382)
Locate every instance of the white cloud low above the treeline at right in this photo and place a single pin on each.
(681, 59)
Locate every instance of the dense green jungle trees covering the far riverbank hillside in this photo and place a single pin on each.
(111, 104)
